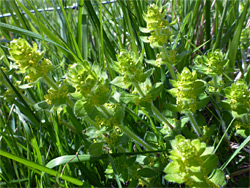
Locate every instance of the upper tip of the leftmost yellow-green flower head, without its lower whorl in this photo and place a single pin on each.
(24, 55)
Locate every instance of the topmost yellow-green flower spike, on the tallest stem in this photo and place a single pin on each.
(157, 25)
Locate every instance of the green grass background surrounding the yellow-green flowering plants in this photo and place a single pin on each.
(46, 146)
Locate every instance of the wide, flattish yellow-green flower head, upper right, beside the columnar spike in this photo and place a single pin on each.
(211, 64)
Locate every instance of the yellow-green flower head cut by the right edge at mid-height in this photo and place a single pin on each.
(238, 96)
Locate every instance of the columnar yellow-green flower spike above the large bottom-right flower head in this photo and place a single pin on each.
(186, 90)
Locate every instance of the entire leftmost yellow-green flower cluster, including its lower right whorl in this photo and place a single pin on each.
(28, 59)
